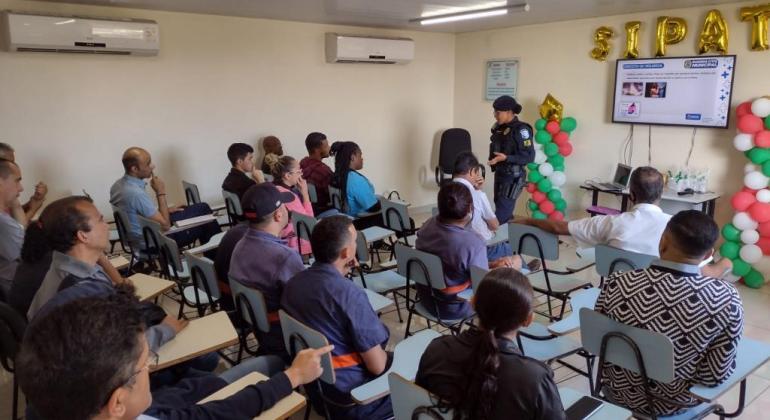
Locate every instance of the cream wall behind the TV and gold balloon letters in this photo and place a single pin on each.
(555, 59)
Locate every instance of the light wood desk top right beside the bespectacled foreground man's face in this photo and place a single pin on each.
(203, 335)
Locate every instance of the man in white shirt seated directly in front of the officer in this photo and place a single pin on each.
(467, 171)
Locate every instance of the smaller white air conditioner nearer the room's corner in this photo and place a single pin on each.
(365, 49)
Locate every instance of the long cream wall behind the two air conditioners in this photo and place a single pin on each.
(218, 80)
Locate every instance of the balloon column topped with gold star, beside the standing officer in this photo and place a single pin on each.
(546, 173)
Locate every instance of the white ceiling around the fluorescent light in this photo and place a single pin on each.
(397, 13)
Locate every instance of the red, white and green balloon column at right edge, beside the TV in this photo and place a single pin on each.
(747, 238)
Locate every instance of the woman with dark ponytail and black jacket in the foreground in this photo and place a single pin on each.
(481, 373)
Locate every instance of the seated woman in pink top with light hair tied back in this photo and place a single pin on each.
(287, 176)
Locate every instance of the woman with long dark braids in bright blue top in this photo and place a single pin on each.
(356, 190)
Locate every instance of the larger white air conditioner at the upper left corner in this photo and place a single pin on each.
(77, 34)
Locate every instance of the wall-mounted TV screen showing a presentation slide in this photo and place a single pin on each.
(689, 91)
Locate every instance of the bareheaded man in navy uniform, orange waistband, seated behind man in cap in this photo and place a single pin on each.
(322, 298)
